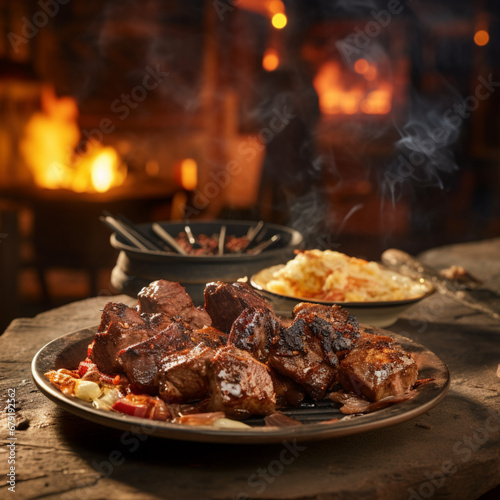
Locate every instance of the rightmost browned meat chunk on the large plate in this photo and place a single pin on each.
(377, 371)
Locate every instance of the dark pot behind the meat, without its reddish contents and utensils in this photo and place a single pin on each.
(136, 268)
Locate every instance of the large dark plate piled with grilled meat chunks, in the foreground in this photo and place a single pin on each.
(233, 371)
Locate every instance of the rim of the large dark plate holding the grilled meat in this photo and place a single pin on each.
(254, 435)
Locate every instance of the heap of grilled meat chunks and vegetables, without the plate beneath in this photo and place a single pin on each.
(166, 359)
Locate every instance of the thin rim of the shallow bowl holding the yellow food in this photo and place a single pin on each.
(365, 304)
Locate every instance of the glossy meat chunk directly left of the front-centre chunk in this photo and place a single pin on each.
(183, 376)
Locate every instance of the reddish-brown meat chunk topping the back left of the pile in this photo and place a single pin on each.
(171, 298)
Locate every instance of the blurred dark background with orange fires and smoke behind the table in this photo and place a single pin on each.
(357, 123)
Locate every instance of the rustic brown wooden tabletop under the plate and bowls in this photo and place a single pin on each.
(451, 452)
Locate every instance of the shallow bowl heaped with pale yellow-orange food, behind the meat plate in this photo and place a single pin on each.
(377, 295)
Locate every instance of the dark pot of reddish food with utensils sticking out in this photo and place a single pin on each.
(197, 252)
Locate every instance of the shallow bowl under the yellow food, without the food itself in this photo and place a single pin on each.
(380, 314)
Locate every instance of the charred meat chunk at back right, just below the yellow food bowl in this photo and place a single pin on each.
(342, 327)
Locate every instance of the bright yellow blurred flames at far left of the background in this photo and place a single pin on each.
(48, 147)
